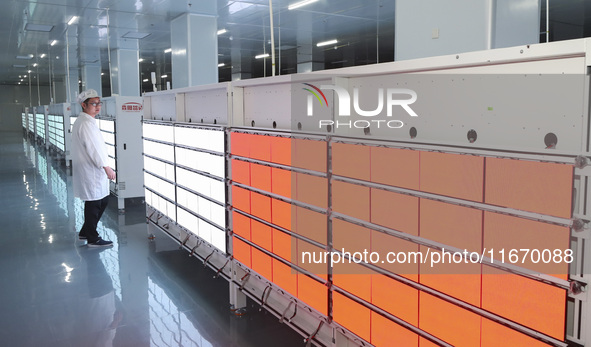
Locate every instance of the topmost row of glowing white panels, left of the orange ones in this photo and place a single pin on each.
(184, 135)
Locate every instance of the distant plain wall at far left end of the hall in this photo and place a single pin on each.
(13, 100)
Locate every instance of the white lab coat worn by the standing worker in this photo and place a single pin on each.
(89, 156)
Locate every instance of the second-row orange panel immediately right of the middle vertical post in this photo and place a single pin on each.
(350, 199)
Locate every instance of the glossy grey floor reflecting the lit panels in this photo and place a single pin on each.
(55, 291)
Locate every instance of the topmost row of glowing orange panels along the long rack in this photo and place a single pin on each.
(523, 185)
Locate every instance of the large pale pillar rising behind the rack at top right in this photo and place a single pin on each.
(463, 26)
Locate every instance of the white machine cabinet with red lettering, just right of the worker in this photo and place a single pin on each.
(120, 122)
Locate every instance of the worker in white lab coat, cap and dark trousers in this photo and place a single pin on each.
(90, 171)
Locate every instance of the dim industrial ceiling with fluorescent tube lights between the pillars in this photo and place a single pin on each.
(358, 25)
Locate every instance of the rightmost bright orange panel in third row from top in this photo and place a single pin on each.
(531, 303)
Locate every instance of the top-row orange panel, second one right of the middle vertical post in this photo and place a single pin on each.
(395, 167)
